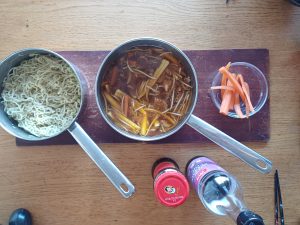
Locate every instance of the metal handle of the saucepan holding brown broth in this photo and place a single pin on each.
(231, 145)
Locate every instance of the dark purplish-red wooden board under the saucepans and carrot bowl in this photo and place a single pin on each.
(206, 63)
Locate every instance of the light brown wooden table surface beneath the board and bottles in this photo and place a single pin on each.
(60, 184)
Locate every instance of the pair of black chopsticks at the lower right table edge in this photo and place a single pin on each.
(278, 200)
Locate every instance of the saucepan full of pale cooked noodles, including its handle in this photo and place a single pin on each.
(41, 97)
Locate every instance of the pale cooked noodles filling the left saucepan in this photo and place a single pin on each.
(42, 94)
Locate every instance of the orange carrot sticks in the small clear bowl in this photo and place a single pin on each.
(233, 88)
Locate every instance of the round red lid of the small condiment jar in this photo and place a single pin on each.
(171, 188)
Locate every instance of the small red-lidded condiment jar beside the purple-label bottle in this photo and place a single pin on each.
(171, 187)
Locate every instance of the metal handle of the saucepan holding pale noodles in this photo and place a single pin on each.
(116, 177)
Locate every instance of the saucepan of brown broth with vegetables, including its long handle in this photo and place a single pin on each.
(147, 89)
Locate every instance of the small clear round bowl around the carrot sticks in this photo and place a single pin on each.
(257, 83)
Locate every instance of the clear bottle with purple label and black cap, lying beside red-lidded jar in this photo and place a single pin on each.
(219, 191)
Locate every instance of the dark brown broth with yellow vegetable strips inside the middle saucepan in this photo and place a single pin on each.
(146, 91)
